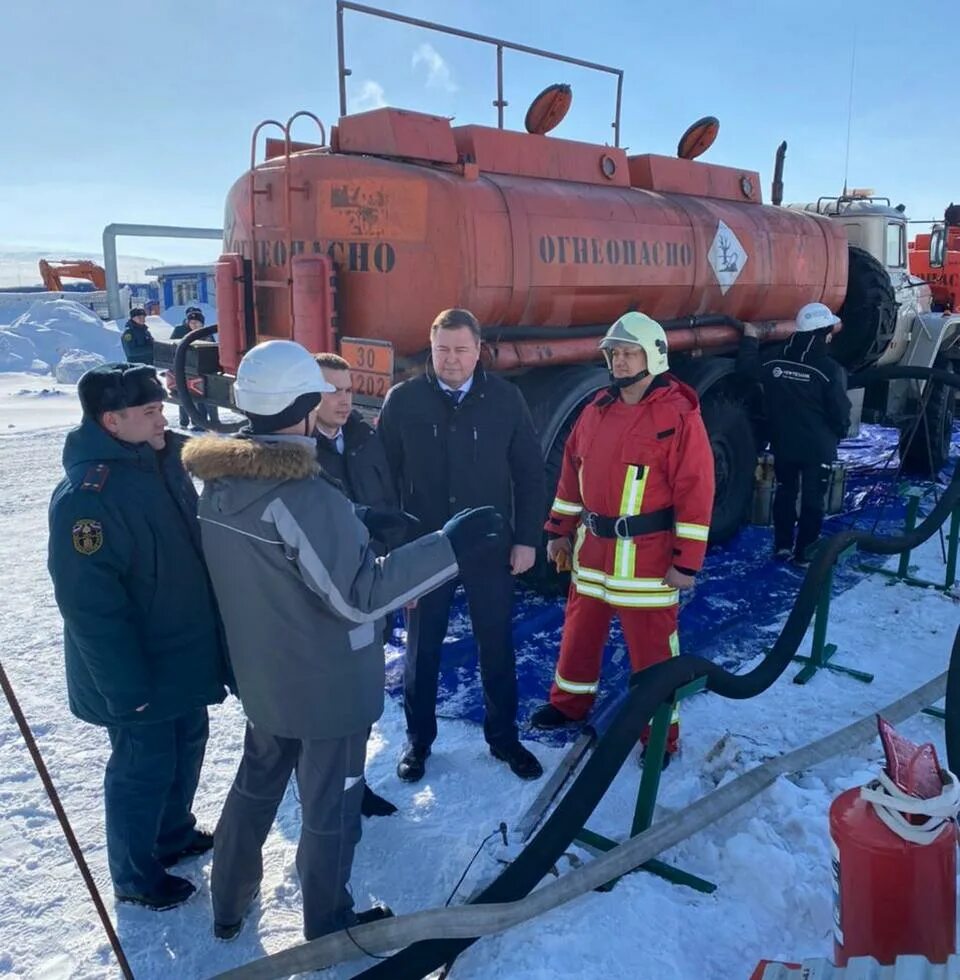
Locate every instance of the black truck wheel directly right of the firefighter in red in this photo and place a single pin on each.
(734, 461)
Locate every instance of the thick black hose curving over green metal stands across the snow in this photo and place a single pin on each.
(658, 684)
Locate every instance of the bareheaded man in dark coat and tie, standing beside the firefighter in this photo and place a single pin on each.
(458, 437)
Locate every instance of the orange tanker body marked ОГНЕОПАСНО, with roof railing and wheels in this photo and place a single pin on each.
(354, 244)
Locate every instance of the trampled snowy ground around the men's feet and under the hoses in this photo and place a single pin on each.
(770, 859)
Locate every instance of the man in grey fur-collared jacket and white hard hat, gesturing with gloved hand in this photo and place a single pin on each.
(302, 595)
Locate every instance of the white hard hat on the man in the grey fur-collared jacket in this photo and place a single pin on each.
(274, 374)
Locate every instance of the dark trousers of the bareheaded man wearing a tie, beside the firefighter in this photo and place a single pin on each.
(489, 589)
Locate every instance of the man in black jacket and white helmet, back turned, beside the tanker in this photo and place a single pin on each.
(808, 413)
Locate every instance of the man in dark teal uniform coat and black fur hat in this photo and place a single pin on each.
(142, 636)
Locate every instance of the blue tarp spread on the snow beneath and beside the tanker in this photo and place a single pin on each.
(740, 590)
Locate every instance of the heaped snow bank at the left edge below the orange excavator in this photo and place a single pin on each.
(38, 339)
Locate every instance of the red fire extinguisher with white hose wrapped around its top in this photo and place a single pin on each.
(894, 846)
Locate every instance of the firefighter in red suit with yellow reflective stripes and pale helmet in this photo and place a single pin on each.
(631, 517)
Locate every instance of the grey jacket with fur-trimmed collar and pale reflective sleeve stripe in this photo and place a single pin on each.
(301, 592)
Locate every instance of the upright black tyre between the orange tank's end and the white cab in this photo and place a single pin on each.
(869, 313)
